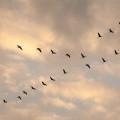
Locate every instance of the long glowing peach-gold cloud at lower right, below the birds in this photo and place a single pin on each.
(92, 90)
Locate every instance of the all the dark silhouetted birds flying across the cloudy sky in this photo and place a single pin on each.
(64, 71)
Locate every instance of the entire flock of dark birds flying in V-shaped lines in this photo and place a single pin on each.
(64, 71)
